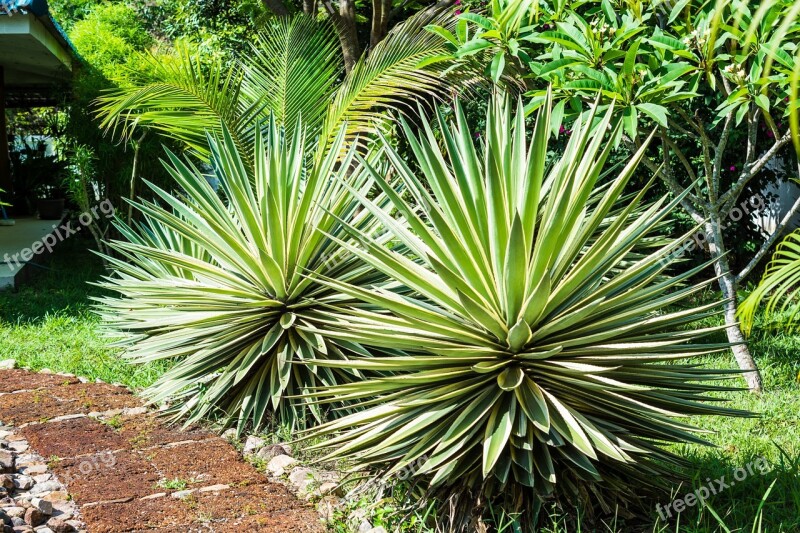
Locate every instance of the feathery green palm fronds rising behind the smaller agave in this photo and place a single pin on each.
(292, 72)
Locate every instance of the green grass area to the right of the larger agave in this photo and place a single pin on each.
(772, 435)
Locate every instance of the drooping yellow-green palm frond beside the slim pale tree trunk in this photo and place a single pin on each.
(778, 287)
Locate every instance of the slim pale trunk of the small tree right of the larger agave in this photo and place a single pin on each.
(727, 283)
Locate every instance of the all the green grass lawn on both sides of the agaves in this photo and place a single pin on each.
(49, 324)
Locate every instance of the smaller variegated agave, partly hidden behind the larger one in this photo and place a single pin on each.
(217, 281)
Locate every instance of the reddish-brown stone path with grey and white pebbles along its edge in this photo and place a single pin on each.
(88, 457)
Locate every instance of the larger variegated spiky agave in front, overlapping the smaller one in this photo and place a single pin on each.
(540, 348)
